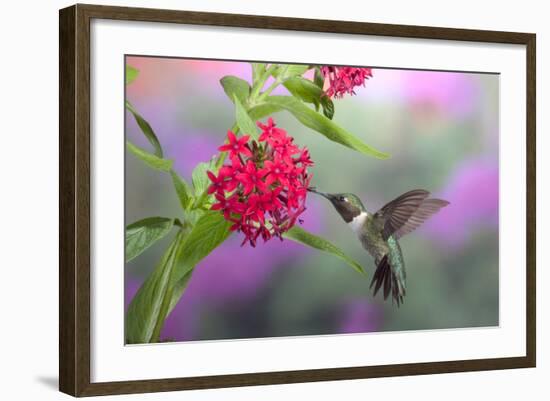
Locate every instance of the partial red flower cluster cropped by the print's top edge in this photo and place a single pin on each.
(343, 80)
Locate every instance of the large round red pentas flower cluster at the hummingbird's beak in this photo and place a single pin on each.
(262, 189)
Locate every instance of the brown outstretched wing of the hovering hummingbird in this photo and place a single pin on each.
(407, 212)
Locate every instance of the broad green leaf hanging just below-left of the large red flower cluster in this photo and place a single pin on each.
(210, 230)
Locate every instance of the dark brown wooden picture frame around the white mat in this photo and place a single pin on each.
(74, 199)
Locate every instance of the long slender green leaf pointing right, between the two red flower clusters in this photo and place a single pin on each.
(323, 125)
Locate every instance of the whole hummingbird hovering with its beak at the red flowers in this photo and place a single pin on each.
(379, 232)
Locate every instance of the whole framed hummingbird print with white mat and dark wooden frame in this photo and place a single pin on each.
(251, 200)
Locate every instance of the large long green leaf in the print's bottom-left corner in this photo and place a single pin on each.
(149, 306)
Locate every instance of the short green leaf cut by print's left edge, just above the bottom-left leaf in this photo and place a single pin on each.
(144, 233)
